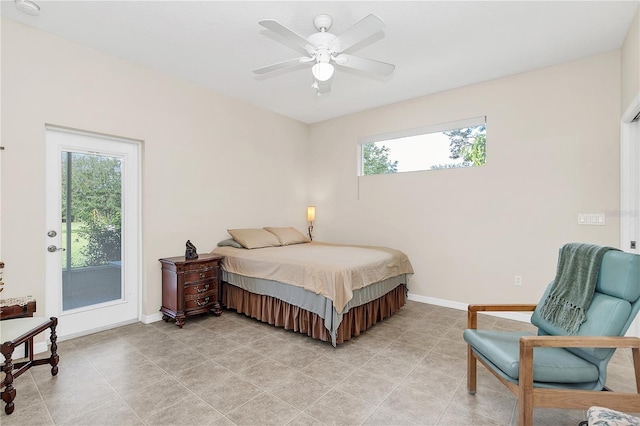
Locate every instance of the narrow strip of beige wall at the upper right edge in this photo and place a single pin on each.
(630, 64)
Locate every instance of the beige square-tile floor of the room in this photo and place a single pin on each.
(232, 370)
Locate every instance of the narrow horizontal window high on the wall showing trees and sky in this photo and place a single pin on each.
(443, 146)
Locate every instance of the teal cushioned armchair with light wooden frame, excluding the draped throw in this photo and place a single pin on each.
(554, 369)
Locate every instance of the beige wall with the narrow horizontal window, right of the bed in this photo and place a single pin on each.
(552, 152)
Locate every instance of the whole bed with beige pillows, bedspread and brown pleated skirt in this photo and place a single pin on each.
(331, 292)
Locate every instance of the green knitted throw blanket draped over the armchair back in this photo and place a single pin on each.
(574, 285)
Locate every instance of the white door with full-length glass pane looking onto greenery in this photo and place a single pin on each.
(92, 235)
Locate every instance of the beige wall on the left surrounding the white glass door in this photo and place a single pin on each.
(209, 161)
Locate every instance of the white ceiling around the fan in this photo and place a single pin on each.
(435, 45)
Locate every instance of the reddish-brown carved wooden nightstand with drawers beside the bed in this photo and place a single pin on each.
(190, 287)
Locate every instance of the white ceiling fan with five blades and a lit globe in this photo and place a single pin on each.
(325, 49)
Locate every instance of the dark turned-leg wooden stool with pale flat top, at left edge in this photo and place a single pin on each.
(15, 332)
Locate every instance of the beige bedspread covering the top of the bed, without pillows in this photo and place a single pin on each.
(332, 270)
